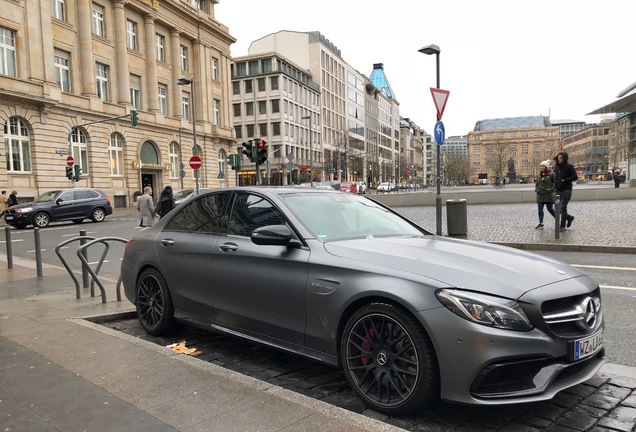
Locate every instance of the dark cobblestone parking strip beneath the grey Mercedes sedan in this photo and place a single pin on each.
(601, 404)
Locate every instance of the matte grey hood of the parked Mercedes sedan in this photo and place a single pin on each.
(463, 264)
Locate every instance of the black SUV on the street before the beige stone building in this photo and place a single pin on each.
(69, 204)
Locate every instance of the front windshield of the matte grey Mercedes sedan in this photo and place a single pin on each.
(331, 217)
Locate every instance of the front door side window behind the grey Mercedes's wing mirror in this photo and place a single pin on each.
(251, 212)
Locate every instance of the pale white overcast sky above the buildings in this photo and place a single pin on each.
(559, 58)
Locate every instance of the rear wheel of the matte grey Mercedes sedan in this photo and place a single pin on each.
(154, 305)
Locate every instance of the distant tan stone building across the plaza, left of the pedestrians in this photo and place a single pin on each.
(511, 148)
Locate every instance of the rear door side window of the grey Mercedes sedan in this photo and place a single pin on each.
(203, 215)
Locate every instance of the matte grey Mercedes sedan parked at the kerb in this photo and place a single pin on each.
(409, 316)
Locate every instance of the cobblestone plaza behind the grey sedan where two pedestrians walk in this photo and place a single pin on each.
(597, 223)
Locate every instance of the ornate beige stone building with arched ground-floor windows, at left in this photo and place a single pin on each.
(72, 71)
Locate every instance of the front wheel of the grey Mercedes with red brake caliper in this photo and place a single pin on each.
(389, 360)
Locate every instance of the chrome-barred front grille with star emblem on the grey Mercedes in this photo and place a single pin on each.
(573, 316)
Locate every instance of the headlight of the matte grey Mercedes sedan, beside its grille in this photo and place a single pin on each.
(486, 310)
